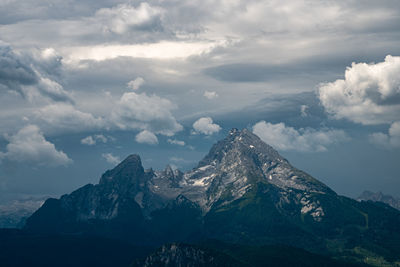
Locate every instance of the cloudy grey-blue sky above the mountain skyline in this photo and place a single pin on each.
(83, 84)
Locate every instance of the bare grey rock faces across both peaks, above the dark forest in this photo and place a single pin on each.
(232, 167)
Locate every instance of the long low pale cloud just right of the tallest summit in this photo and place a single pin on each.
(284, 138)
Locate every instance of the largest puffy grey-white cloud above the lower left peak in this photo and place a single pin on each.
(143, 112)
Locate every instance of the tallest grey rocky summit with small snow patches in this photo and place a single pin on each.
(242, 160)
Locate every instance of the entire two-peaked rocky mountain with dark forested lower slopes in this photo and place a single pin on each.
(241, 192)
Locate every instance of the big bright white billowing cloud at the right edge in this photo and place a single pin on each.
(369, 93)
